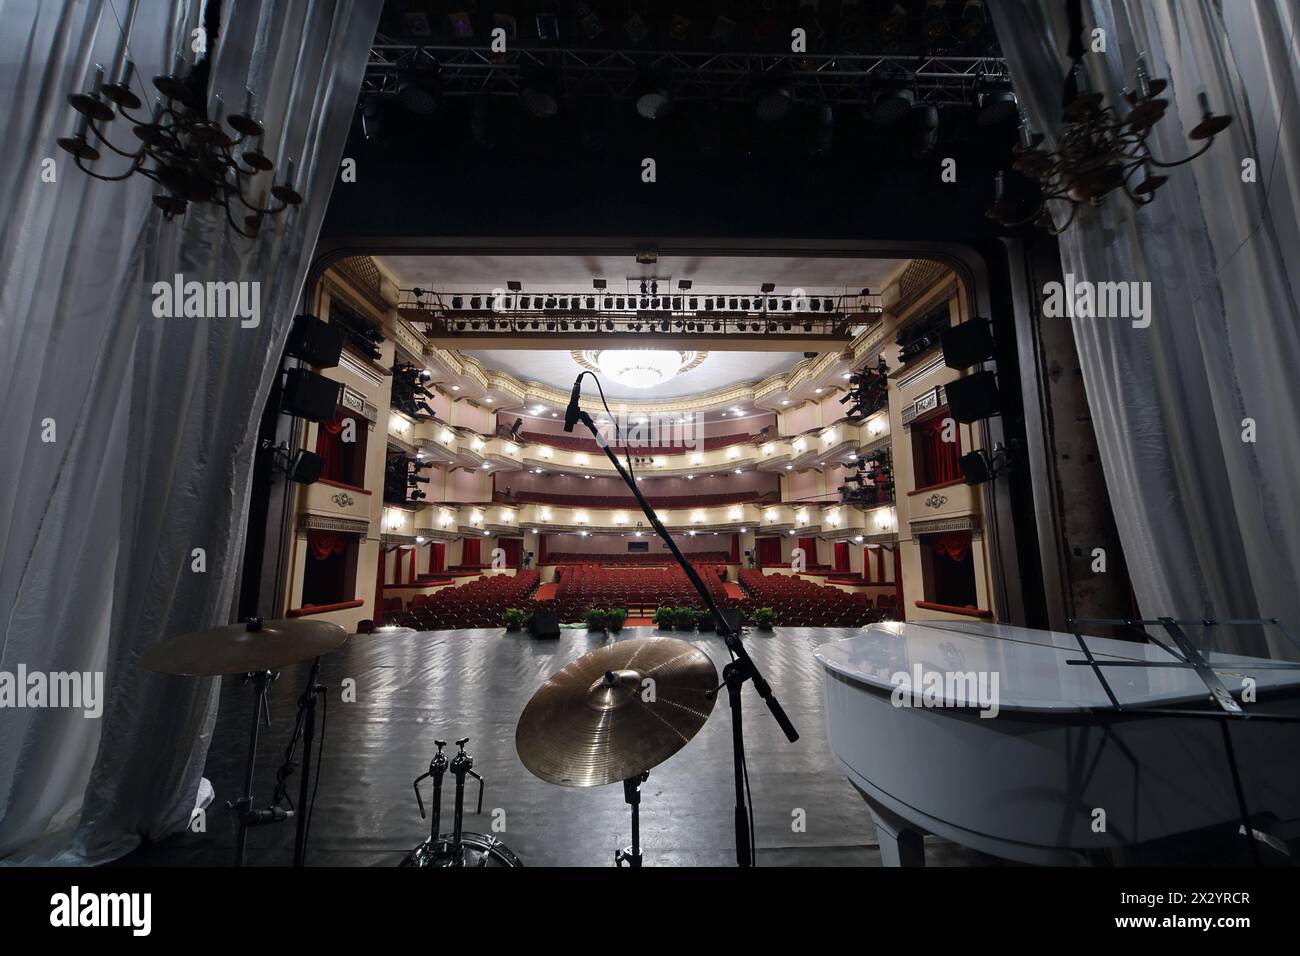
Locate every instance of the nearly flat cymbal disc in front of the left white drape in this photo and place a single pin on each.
(240, 650)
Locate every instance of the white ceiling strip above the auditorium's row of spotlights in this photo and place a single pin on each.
(575, 274)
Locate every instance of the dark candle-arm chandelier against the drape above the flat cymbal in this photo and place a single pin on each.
(193, 155)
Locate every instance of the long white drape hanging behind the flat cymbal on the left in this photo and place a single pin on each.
(153, 421)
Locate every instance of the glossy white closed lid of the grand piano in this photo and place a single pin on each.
(1032, 665)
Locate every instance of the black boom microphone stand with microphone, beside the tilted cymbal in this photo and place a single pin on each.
(742, 667)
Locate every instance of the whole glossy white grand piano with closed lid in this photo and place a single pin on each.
(1058, 776)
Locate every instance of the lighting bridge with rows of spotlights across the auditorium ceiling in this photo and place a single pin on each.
(683, 313)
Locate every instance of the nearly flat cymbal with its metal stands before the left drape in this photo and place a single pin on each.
(258, 651)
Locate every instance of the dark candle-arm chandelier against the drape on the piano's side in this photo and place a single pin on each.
(1099, 150)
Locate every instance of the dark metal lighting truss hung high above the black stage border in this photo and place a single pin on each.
(704, 76)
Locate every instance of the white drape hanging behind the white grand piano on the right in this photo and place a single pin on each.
(1210, 522)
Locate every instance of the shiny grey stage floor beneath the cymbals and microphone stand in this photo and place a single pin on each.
(448, 685)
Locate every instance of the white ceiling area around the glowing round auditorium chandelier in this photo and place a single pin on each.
(717, 371)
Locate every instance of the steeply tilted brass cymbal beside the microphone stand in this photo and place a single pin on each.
(599, 721)
